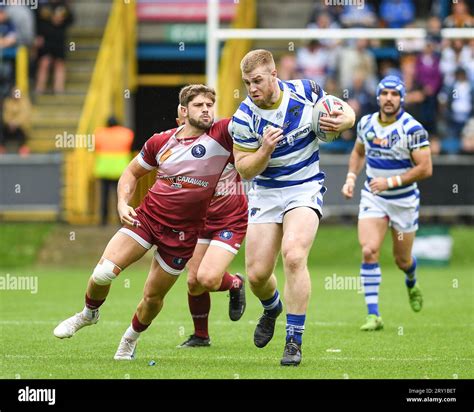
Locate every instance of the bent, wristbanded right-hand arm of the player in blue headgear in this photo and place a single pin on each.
(423, 169)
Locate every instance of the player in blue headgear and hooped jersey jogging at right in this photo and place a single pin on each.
(397, 151)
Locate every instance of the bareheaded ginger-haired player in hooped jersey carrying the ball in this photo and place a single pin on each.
(274, 144)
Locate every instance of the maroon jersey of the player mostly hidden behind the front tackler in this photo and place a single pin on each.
(229, 204)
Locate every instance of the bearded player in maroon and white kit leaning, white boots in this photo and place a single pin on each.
(189, 162)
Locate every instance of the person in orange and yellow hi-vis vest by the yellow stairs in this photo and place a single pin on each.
(113, 145)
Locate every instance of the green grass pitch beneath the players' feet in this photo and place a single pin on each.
(435, 343)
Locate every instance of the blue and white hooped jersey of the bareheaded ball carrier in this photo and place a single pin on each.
(296, 157)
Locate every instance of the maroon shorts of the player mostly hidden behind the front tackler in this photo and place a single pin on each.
(229, 238)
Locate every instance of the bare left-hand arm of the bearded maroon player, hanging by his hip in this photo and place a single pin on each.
(125, 190)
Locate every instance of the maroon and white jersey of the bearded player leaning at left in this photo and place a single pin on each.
(188, 171)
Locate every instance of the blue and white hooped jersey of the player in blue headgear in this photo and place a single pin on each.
(388, 149)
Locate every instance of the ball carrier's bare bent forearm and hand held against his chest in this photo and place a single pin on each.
(251, 164)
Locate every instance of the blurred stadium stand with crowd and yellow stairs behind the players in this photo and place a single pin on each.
(84, 83)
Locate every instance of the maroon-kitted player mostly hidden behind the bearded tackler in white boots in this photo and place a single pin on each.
(218, 243)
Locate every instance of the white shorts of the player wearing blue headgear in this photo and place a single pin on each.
(402, 213)
